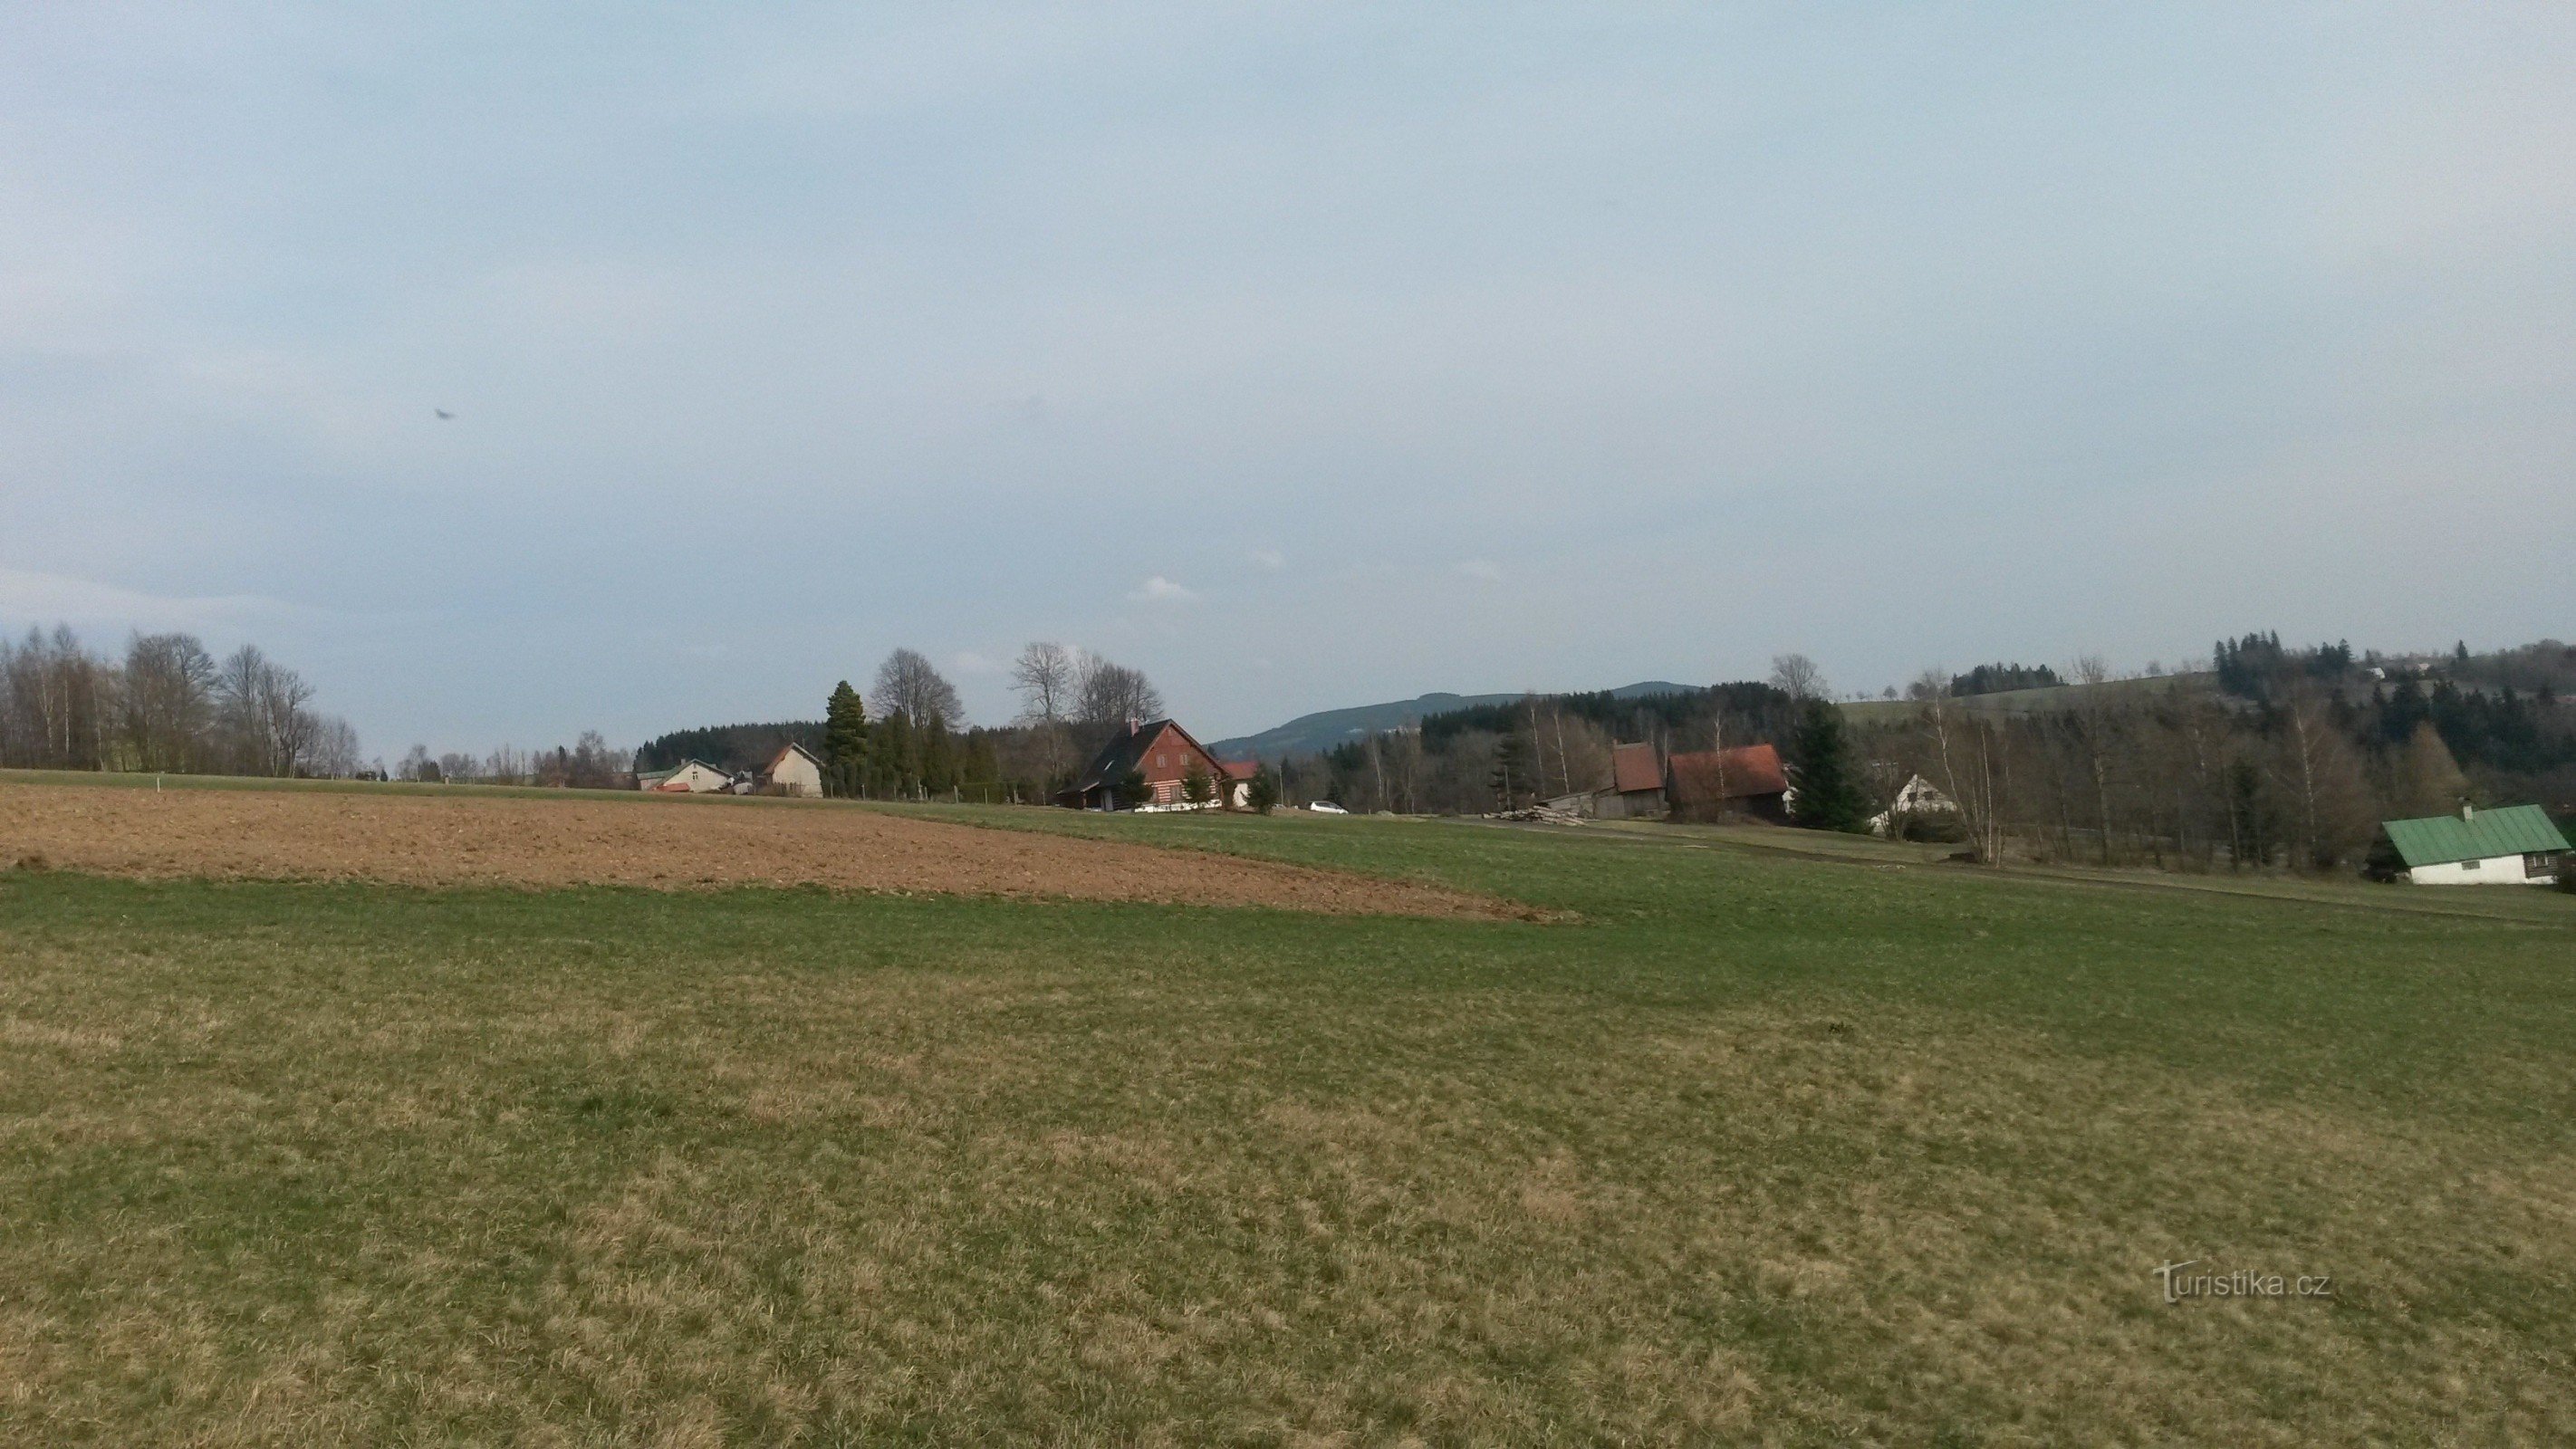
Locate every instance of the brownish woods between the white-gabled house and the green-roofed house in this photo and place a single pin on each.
(2284, 758)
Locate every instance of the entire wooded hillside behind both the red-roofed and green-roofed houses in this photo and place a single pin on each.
(2271, 755)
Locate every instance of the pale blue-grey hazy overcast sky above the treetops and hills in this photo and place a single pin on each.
(1297, 354)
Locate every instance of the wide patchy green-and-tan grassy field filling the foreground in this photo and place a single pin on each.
(1750, 1147)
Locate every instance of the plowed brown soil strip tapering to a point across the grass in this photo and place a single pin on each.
(671, 845)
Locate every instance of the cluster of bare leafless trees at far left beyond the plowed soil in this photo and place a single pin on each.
(166, 704)
